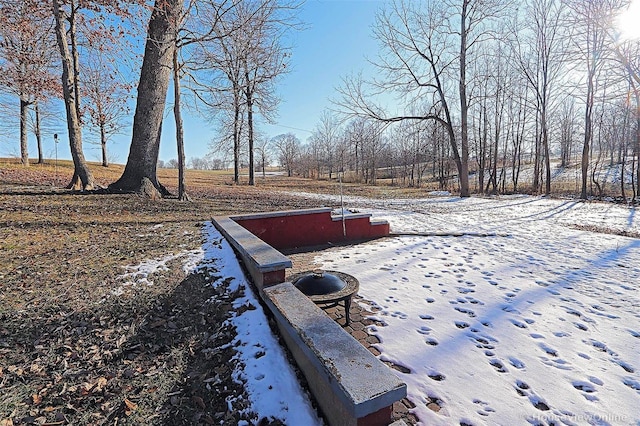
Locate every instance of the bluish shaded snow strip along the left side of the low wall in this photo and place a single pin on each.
(260, 364)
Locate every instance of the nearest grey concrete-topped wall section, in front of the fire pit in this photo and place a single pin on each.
(351, 385)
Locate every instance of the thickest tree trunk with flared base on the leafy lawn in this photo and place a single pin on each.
(152, 93)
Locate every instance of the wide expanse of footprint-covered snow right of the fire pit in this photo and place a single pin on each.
(538, 323)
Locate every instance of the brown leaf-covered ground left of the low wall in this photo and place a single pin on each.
(80, 346)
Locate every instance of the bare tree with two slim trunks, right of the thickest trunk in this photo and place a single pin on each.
(249, 56)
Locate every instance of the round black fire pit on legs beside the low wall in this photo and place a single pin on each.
(327, 288)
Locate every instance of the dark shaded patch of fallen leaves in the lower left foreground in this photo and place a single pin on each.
(163, 358)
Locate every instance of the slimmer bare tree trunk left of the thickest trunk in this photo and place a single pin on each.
(82, 177)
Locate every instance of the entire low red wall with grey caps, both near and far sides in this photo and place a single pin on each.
(351, 386)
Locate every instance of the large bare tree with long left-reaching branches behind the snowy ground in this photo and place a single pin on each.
(426, 47)
